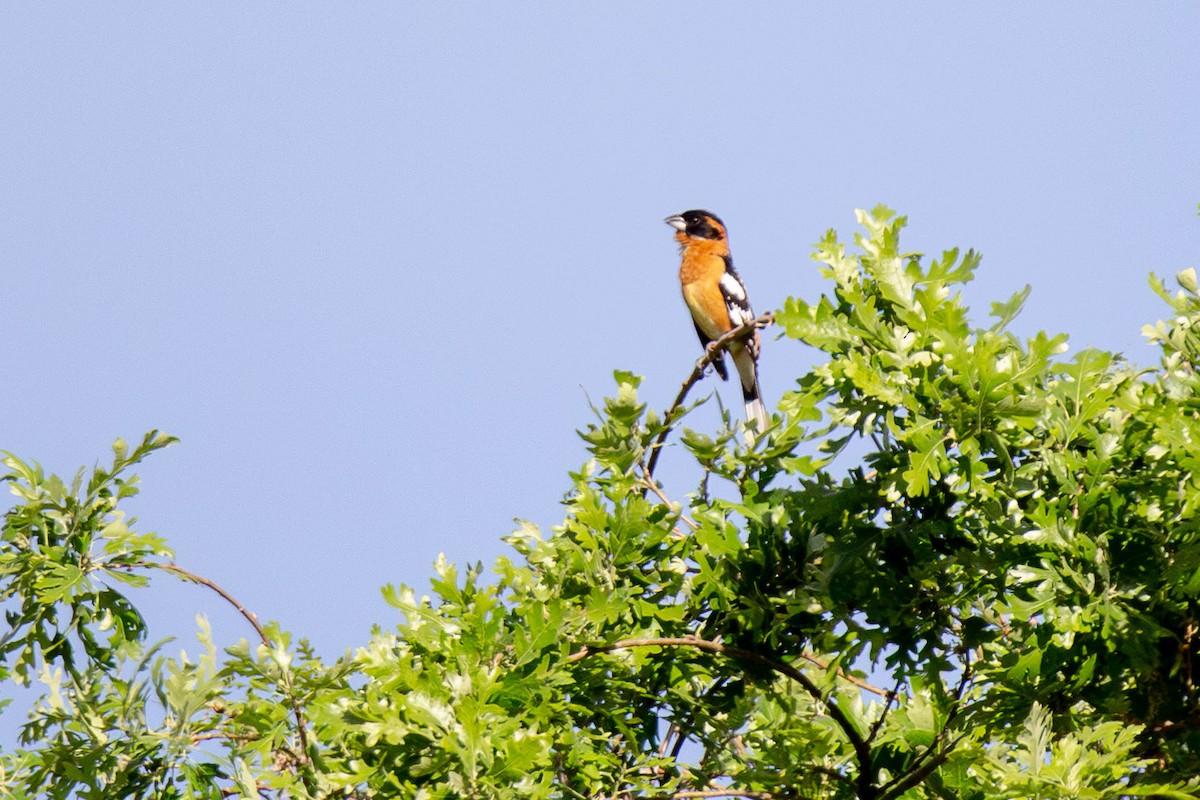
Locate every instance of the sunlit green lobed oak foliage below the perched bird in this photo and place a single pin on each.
(959, 564)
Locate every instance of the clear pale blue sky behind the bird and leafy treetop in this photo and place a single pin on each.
(365, 260)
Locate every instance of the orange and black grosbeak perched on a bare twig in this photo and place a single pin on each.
(717, 299)
